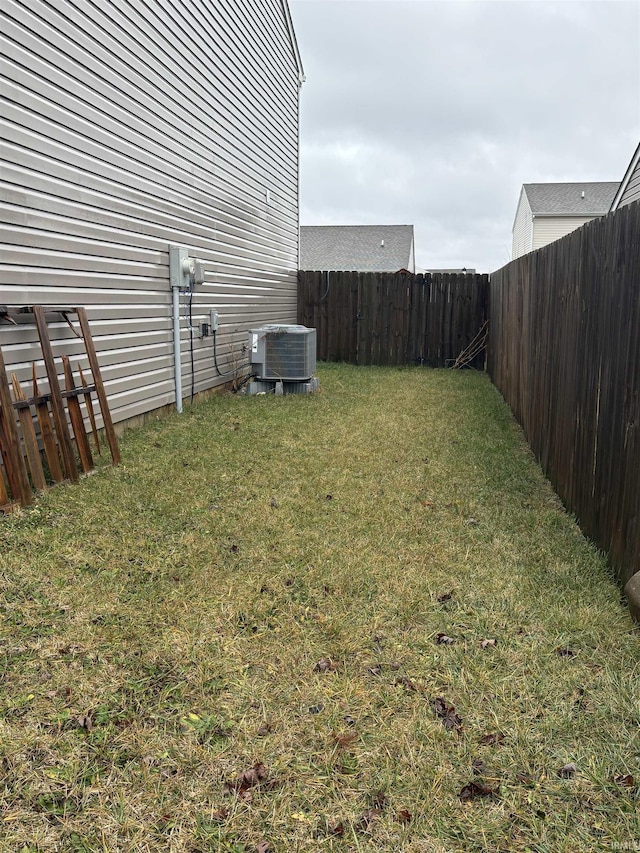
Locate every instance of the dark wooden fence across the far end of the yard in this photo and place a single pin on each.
(393, 318)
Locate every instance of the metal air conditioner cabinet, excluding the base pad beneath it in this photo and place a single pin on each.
(285, 352)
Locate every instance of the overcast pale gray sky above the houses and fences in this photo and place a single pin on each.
(435, 112)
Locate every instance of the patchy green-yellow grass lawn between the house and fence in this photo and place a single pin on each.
(240, 639)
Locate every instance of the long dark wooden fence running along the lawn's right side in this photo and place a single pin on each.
(564, 350)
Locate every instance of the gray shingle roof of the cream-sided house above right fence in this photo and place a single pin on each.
(567, 200)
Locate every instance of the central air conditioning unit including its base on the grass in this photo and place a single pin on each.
(283, 359)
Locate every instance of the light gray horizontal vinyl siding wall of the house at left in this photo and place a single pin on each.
(127, 130)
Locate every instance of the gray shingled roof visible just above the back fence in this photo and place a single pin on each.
(368, 248)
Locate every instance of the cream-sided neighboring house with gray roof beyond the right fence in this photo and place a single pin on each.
(547, 212)
